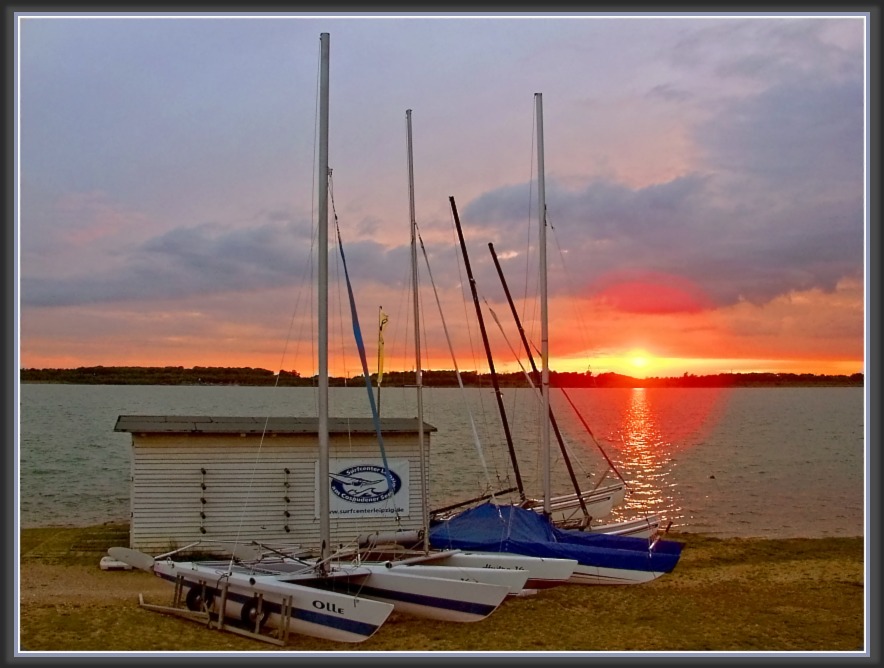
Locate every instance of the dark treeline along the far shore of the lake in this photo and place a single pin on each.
(198, 375)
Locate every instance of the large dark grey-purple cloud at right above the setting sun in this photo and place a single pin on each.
(774, 206)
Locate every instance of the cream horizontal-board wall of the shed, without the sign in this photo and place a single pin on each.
(229, 488)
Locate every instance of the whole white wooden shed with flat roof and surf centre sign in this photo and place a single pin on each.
(239, 479)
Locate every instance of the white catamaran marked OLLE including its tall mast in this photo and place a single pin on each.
(264, 597)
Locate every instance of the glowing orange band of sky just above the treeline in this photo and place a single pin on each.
(594, 337)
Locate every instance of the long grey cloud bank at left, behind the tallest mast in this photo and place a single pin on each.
(215, 258)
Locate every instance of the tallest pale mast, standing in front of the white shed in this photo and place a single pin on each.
(322, 299)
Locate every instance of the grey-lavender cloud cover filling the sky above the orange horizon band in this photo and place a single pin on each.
(719, 162)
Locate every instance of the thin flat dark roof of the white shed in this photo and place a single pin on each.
(207, 424)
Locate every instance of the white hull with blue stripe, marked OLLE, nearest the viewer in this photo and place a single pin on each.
(318, 613)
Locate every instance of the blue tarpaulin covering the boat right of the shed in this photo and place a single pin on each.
(493, 528)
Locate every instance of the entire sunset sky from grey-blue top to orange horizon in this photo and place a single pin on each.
(705, 181)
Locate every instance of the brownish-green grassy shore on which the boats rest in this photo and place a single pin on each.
(734, 595)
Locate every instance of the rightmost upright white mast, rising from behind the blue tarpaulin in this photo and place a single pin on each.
(544, 313)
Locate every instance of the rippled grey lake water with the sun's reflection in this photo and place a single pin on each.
(769, 462)
